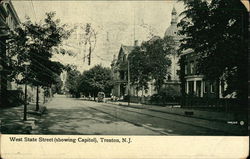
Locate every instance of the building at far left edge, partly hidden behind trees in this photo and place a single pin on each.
(10, 92)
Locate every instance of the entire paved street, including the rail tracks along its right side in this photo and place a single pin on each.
(76, 116)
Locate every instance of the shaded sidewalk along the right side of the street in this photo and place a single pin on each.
(221, 121)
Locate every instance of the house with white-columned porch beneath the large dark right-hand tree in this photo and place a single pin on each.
(198, 91)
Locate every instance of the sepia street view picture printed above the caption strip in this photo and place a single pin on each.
(123, 68)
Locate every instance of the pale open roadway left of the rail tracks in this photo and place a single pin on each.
(72, 116)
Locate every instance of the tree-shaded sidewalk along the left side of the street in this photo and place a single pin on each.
(11, 120)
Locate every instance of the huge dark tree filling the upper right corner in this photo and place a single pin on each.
(216, 31)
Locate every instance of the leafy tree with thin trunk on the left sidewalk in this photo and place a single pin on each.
(32, 48)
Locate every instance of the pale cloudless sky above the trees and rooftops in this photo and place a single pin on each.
(116, 23)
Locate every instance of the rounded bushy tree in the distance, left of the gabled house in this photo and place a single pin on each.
(97, 79)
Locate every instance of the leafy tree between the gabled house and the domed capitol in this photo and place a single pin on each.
(151, 62)
